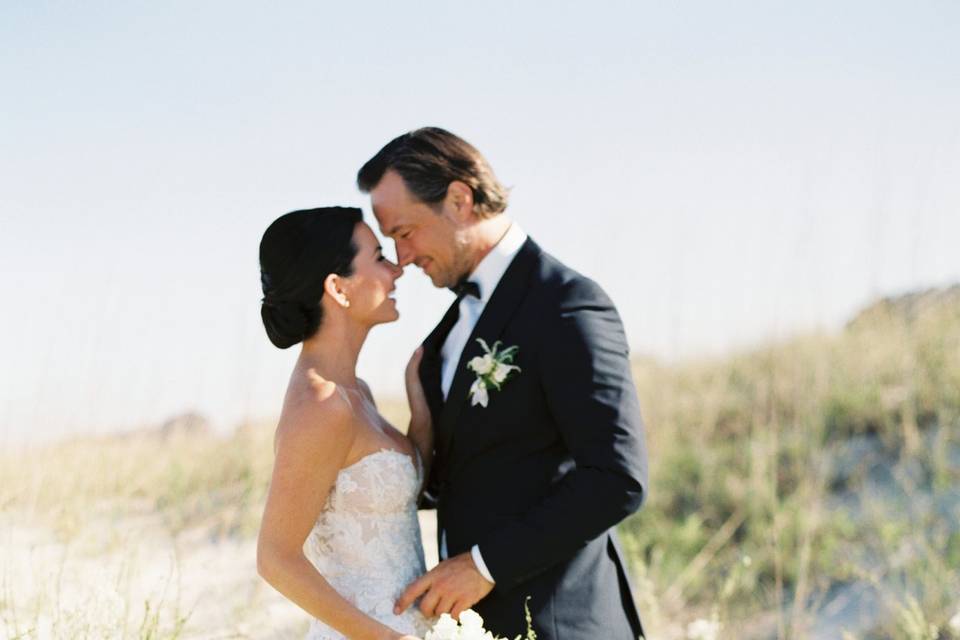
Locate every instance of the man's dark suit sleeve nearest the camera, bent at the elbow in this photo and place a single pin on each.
(585, 372)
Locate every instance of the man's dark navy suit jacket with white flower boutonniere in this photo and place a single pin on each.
(540, 477)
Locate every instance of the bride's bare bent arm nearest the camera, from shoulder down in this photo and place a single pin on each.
(313, 442)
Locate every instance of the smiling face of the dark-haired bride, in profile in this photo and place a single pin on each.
(370, 288)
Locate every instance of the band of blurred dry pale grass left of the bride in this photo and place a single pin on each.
(192, 480)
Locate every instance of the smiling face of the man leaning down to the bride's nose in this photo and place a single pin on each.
(431, 237)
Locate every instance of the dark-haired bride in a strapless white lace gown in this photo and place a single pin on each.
(340, 536)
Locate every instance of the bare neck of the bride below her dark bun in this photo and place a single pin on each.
(333, 350)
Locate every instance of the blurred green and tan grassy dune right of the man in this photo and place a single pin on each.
(785, 477)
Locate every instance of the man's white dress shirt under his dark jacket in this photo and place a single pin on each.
(487, 275)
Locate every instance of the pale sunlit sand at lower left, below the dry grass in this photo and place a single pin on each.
(95, 583)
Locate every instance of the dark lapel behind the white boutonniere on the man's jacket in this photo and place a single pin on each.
(505, 299)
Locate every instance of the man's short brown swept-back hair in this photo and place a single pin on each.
(428, 160)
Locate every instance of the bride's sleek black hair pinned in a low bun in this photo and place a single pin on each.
(297, 253)
